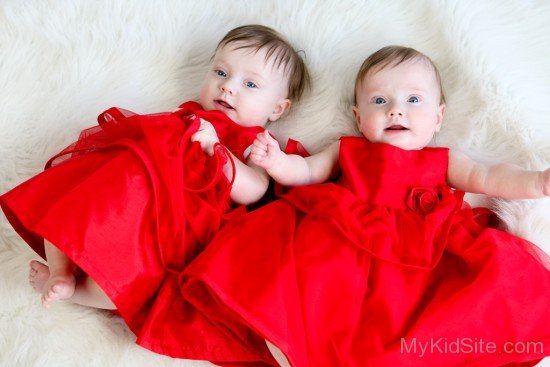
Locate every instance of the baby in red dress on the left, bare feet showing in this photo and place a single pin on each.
(121, 212)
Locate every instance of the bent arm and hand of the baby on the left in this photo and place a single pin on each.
(250, 183)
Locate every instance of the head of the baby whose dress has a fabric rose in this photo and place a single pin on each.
(399, 98)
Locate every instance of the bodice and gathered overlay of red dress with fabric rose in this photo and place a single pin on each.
(387, 199)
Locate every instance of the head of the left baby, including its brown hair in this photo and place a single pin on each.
(254, 77)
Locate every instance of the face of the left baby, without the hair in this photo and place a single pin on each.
(244, 86)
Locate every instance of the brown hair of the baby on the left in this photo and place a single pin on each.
(278, 50)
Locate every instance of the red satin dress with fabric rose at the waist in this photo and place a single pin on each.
(387, 267)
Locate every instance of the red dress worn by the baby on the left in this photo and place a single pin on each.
(131, 203)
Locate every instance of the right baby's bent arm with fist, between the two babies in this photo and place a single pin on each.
(291, 169)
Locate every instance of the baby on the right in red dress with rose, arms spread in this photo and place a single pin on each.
(356, 272)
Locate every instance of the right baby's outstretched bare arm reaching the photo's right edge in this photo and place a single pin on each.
(503, 180)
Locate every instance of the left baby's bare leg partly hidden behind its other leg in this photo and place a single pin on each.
(86, 291)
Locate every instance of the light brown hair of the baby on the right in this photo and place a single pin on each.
(393, 56)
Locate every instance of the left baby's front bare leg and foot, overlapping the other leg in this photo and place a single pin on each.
(61, 282)
